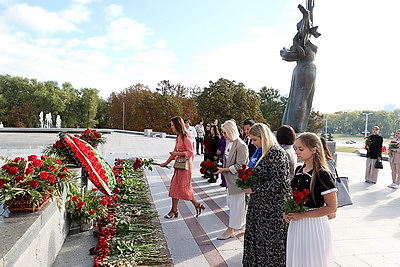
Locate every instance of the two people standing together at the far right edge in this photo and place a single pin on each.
(374, 154)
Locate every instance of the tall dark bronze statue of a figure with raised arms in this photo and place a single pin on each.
(302, 87)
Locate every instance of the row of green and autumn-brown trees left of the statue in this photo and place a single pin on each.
(137, 107)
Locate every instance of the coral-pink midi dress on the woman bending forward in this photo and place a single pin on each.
(181, 183)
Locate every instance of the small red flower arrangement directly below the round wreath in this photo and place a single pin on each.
(86, 206)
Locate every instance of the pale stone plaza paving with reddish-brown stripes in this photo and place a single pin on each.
(365, 234)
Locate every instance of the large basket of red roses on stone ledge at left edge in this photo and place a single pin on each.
(32, 179)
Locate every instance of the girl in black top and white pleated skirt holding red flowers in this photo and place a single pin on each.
(309, 242)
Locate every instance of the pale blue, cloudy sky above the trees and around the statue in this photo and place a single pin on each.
(110, 45)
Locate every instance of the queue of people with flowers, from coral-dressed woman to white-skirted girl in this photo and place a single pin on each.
(271, 238)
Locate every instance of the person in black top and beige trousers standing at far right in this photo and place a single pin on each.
(374, 153)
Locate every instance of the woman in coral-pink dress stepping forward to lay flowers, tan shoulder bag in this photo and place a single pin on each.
(181, 182)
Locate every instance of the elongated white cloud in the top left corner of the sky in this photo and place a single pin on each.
(37, 19)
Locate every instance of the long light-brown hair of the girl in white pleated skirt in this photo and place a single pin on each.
(311, 141)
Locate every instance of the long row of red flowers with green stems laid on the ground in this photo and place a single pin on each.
(128, 235)
